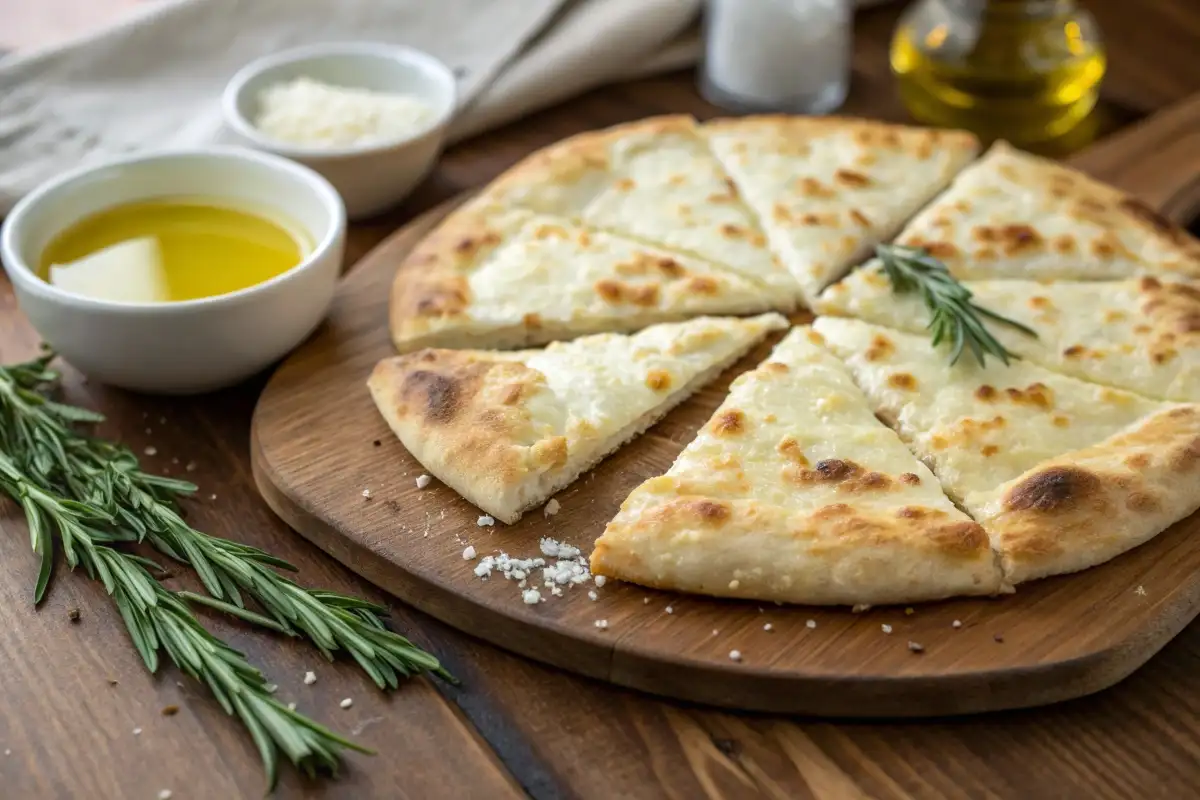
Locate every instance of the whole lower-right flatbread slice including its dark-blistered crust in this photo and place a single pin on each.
(1064, 474)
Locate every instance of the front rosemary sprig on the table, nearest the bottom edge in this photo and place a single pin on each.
(160, 621)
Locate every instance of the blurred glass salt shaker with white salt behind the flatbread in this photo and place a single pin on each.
(777, 56)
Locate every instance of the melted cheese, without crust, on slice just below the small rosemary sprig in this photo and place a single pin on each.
(980, 428)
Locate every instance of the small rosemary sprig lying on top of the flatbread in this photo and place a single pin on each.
(953, 317)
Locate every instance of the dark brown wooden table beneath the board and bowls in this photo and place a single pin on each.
(517, 727)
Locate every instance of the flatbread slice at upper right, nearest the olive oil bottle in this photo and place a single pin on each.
(1012, 215)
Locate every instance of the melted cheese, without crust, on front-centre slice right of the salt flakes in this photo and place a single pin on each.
(797, 434)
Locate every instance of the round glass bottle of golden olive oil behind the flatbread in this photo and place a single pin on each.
(1028, 71)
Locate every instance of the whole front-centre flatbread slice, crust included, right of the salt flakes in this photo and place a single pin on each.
(794, 492)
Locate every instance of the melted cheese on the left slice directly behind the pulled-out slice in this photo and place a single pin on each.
(562, 273)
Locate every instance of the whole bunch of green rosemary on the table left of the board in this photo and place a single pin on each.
(92, 495)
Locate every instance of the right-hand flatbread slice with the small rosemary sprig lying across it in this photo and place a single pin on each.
(1142, 335)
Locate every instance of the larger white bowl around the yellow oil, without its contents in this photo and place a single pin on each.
(193, 346)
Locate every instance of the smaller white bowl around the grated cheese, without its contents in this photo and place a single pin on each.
(371, 177)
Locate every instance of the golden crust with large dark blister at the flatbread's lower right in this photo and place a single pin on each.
(1091, 506)
